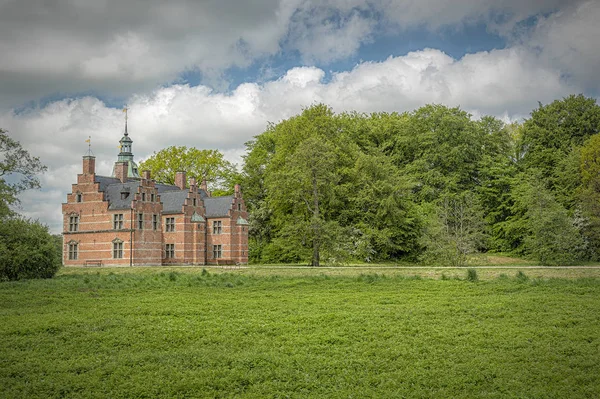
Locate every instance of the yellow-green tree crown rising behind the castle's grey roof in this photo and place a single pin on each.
(220, 174)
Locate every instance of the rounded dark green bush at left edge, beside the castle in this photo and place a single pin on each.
(27, 250)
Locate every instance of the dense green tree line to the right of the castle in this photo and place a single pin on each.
(433, 185)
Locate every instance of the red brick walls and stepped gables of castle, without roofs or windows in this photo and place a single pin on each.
(144, 244)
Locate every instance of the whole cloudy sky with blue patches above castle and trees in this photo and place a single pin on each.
(213, 73)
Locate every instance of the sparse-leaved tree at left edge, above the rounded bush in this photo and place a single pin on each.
(18, 170)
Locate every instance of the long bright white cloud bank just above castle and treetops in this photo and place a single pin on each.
(506, 83)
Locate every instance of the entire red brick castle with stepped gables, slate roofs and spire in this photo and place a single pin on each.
(130, 220)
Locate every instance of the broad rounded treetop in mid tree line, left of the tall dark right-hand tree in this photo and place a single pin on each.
(441, 149)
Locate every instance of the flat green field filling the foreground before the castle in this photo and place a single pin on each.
(277, 333)
